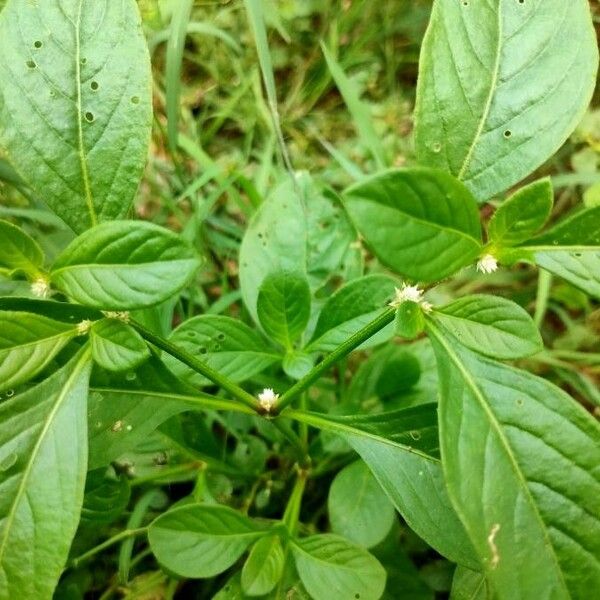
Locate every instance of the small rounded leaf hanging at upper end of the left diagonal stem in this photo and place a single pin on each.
(116, 346)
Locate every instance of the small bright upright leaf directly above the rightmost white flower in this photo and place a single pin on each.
(521, 216)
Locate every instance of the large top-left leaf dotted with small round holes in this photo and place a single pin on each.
(76, 104)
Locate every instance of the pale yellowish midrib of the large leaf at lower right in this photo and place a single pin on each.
(472, 384)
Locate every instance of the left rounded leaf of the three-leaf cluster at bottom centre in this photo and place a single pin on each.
(199, 541)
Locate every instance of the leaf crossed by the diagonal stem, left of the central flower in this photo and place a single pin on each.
(225, 344)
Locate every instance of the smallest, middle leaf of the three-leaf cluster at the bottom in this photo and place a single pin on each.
(263, 567)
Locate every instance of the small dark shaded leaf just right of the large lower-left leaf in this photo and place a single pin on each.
(106, 497)
